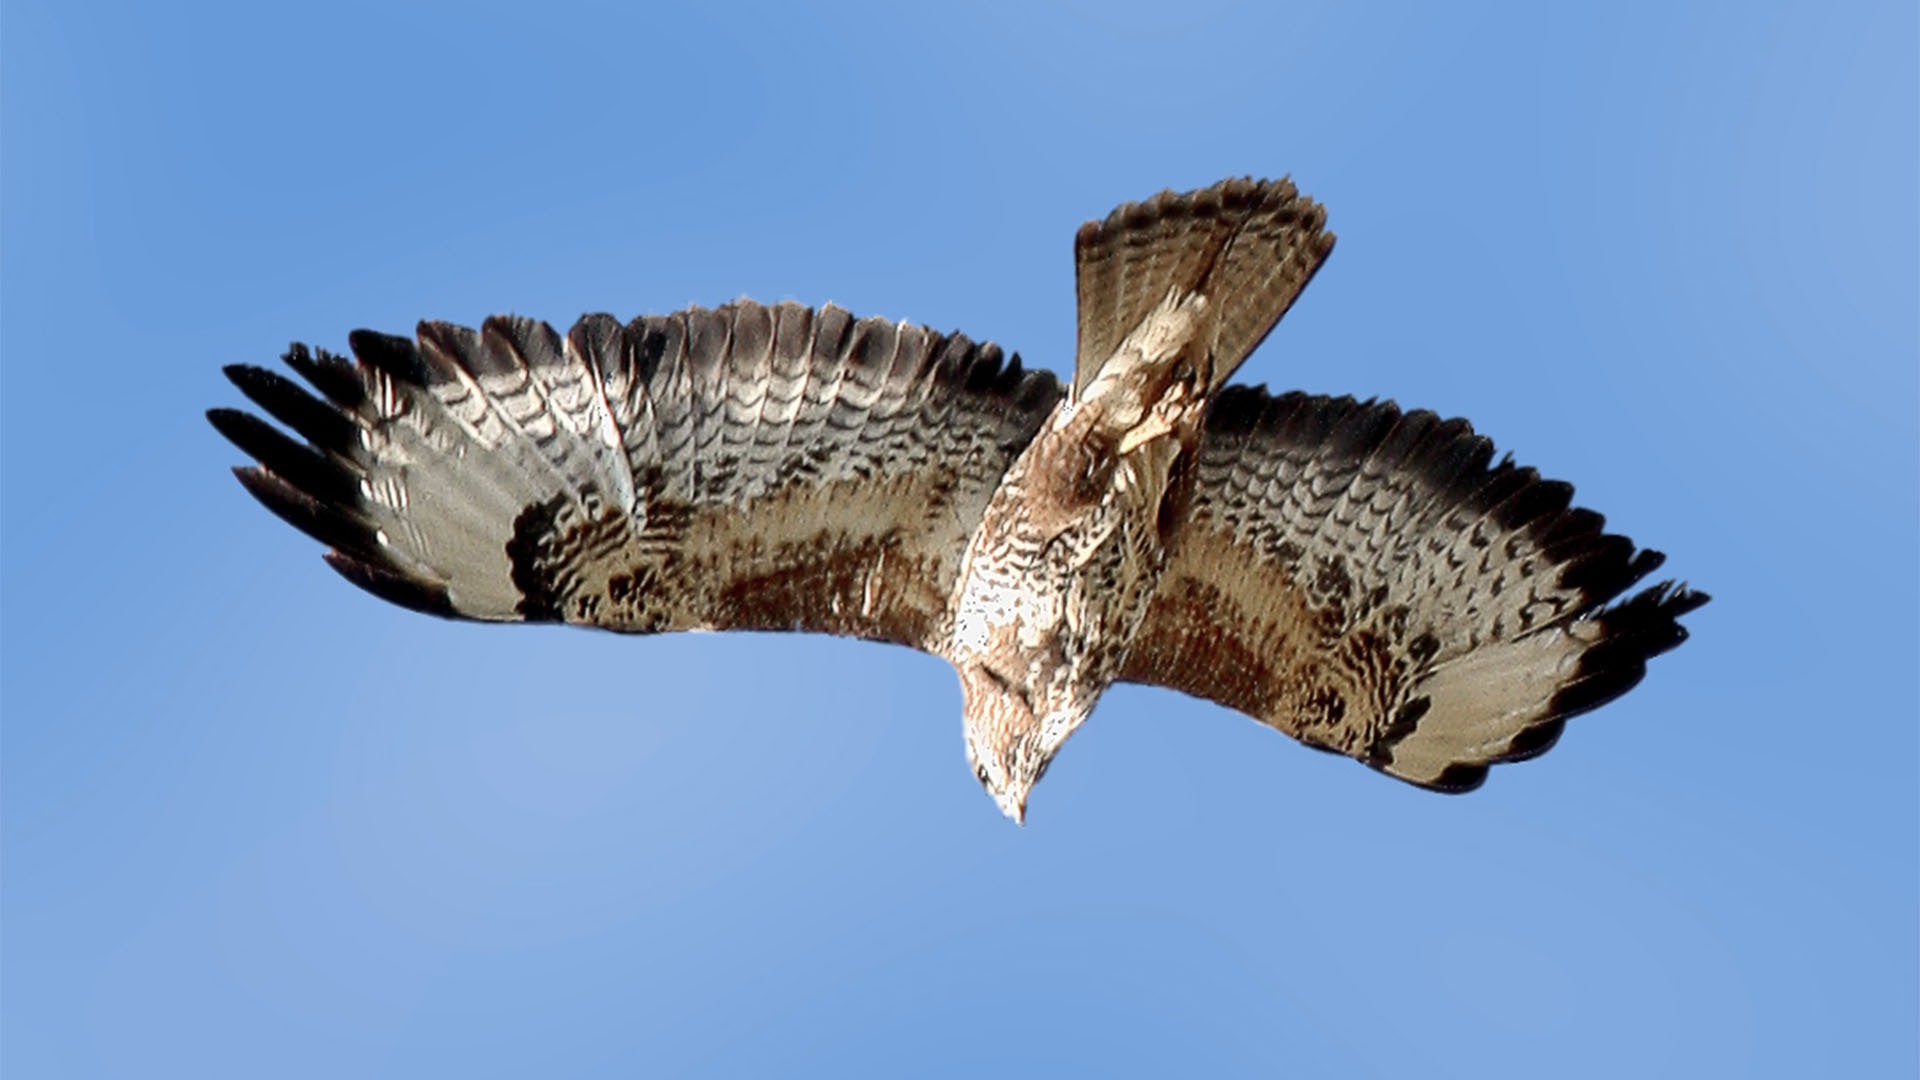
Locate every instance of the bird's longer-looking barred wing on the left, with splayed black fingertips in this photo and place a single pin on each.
(744, 468)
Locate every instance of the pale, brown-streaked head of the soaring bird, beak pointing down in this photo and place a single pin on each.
(1011, 737)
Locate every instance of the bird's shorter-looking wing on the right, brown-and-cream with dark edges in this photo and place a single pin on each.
(1364, 581)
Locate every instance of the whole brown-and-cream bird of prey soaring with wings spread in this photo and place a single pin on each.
(1360, 577)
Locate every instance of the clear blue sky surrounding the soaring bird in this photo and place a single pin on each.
(258, 823)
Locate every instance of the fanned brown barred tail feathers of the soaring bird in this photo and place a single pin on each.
(1249, 247)
